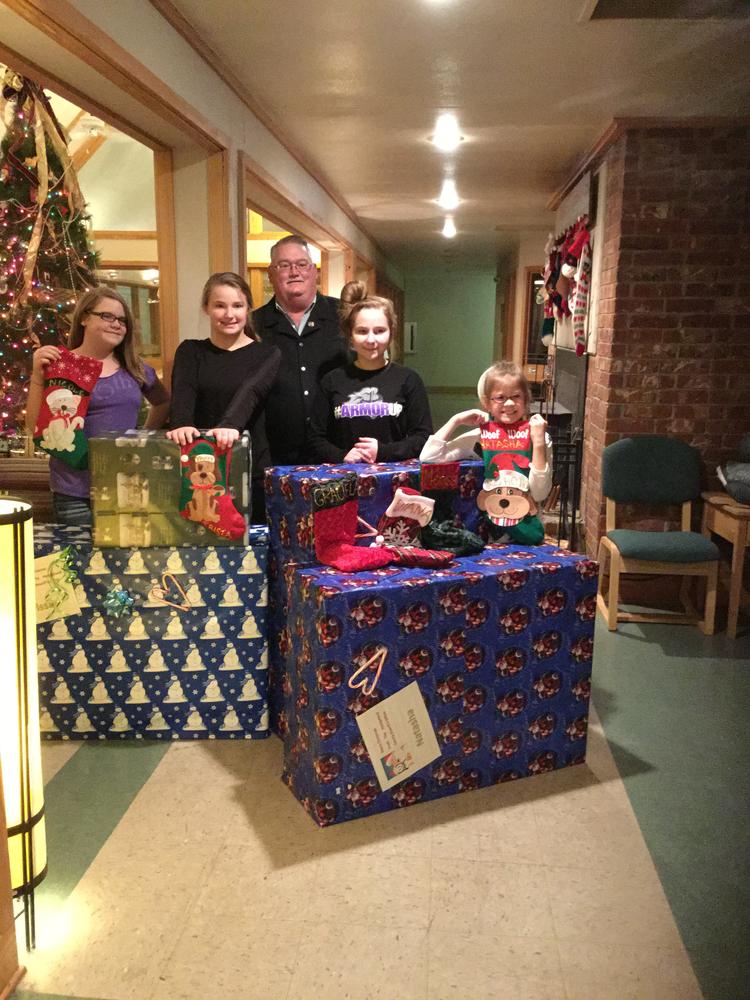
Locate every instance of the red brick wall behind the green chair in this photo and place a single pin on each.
(673, 327)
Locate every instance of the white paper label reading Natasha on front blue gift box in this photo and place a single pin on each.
(399, 736)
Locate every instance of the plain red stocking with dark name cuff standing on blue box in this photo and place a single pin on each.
(335, 526)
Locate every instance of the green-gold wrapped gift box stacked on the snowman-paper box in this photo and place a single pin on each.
(136, 484)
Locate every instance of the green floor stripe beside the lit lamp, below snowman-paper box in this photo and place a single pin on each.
(85, 801)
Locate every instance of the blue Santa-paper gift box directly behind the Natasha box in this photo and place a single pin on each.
(289, 509)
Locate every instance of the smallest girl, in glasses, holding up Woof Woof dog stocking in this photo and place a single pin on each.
(516, 449)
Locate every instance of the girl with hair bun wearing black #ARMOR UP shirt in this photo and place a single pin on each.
(372, 409)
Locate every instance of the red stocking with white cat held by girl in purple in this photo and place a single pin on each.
(68, 383)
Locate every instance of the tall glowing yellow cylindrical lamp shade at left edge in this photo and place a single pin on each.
(20, 748)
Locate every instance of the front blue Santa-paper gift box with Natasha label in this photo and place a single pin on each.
(500, 645)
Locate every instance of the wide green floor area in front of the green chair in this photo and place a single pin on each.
(677, 704)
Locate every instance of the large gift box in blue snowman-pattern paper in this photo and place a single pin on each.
(189, 660)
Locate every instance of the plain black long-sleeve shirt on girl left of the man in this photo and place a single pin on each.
(212, 387)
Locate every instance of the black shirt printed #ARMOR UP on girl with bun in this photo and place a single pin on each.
(389, 404)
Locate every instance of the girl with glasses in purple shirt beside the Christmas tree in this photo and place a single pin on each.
(101, 328)
